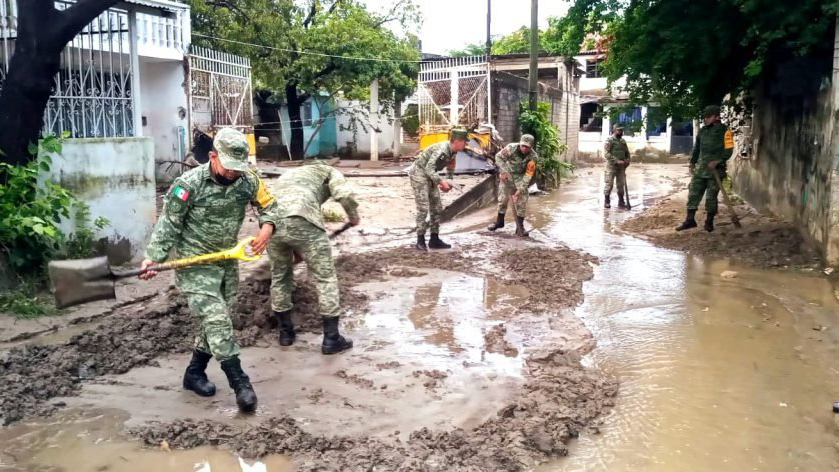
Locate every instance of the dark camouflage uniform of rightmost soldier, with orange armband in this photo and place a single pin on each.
(715, 142)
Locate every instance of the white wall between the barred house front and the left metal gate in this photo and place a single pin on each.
(164, 109)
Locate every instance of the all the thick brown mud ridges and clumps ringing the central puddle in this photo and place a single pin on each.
(557, 400)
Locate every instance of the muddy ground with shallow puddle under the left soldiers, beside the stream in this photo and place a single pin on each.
(467, 359)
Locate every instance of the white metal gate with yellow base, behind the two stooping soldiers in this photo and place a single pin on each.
(454, 92)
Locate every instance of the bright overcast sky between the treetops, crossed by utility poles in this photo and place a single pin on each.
(451, 24)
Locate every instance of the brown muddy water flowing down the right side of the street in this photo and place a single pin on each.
(716, 374)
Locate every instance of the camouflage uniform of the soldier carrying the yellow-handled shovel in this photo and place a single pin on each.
(201, 216)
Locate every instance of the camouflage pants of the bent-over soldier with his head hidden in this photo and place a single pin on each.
(298, 234)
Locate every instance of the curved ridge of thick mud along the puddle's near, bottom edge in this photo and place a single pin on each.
(559, 400)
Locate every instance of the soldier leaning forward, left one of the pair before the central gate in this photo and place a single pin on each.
(426, 181)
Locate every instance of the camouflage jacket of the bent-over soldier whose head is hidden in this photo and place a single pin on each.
(306, 188)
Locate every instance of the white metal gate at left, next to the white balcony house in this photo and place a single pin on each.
(220, 92)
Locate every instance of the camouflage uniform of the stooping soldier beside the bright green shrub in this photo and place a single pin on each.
(521, 168)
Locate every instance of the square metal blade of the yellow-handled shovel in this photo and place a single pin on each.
(81, 281)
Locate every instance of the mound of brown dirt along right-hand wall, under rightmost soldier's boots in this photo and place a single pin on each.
(763, 241)
